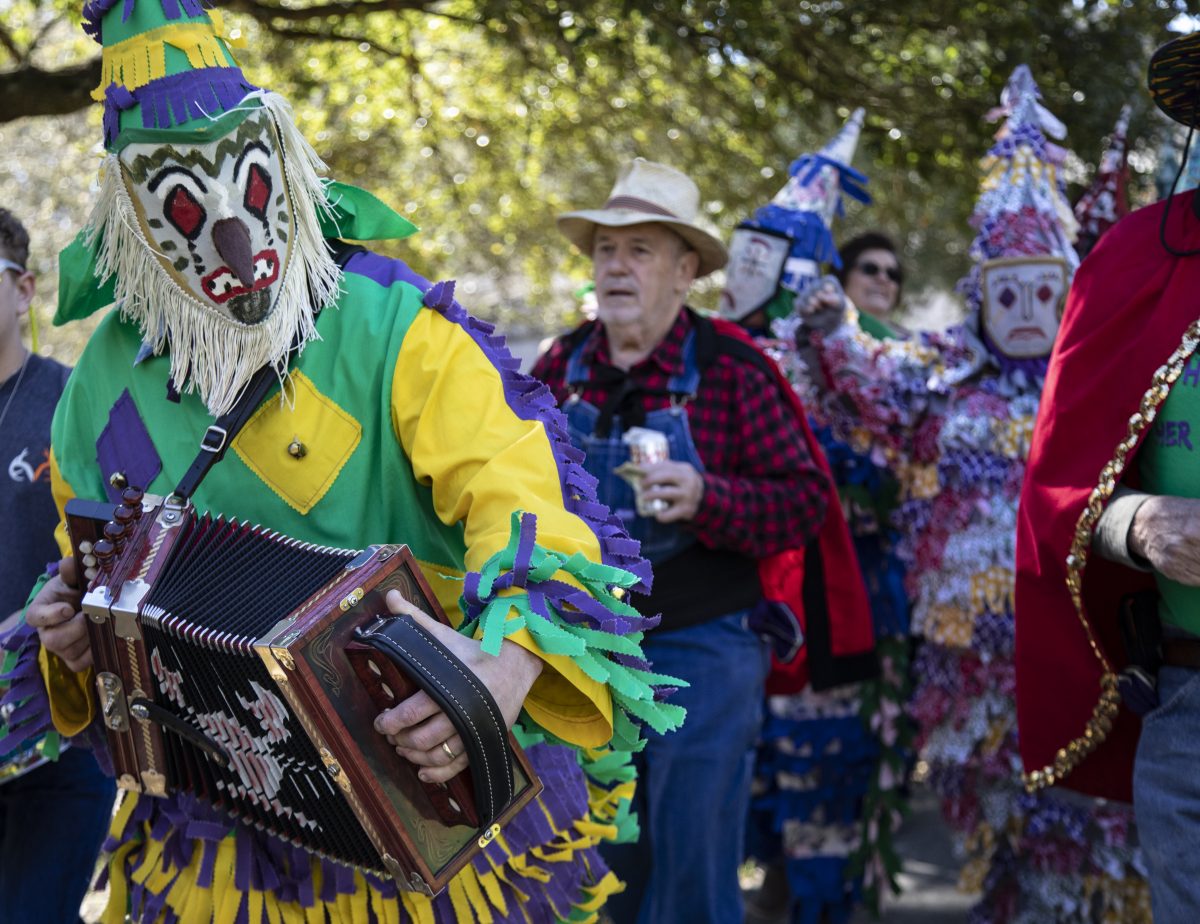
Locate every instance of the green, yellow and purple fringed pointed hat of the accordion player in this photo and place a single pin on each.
(166, 71)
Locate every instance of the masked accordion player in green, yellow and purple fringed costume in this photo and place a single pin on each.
(401, 421)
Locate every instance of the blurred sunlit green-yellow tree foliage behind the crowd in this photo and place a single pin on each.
(484, 119)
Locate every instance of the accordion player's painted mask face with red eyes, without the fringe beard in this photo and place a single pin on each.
(219, 215)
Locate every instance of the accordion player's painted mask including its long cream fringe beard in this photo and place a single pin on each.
(217, 248)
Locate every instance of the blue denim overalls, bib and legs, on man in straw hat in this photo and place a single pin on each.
(685, 866)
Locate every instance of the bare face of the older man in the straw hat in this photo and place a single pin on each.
(643, 275)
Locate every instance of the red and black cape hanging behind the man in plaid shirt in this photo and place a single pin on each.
(824, 583)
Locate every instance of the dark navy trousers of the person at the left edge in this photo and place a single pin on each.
(52, 824)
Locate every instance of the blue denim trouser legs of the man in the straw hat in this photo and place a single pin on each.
(694, 785)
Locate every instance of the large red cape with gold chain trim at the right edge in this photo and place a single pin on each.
(1129, 309)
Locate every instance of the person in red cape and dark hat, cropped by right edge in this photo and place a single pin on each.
(1108, 625)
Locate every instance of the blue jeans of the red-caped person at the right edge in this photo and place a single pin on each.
(1167, 796)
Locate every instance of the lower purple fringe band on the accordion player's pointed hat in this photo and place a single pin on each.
(175, 100)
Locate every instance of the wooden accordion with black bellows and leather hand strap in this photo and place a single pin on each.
(248, 669)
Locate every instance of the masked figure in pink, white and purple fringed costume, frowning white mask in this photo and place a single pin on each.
(955, 413)
